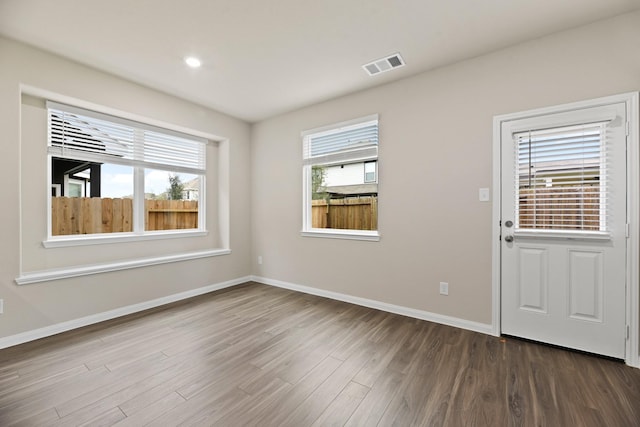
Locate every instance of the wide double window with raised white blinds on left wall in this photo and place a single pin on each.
(113, 175)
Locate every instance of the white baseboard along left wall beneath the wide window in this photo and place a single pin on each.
(112, 314)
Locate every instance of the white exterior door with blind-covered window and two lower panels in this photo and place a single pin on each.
(563, 229)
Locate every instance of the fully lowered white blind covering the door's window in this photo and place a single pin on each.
(561, 178)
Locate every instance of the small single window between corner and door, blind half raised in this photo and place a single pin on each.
(340, 180)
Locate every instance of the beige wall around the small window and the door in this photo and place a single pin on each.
(435, 152)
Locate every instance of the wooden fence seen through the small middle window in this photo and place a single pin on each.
(350, 213)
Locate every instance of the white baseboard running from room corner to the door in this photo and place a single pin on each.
(391, 308)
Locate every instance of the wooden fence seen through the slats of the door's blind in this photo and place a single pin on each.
(564, 207)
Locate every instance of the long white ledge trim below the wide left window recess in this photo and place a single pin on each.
(85, 270)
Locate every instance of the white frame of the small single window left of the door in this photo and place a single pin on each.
(333, 233)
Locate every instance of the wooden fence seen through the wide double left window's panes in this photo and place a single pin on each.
(88, 215)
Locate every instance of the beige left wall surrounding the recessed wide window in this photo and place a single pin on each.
(23, 193)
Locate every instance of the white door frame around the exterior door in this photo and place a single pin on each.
(632, 297)
